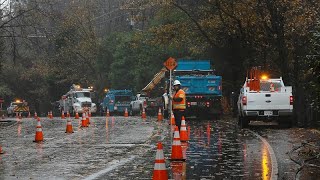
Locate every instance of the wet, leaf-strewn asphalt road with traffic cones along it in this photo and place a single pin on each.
(125, 148)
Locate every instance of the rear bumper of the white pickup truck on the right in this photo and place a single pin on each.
(268, 113)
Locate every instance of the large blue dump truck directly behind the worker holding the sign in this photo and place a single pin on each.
(202, 87)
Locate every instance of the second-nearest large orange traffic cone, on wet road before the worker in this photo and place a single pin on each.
(176, 152)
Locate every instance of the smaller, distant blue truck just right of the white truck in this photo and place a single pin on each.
(116, 101)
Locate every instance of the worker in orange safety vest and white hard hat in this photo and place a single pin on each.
(178, 102)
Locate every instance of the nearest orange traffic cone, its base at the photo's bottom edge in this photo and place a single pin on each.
(160, 172)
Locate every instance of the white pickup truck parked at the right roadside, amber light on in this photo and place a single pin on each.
(272, 101)
